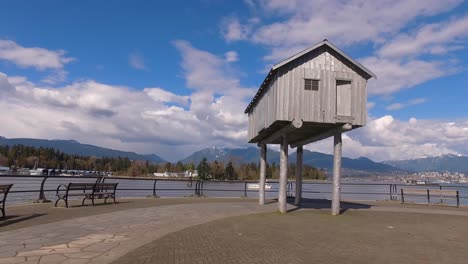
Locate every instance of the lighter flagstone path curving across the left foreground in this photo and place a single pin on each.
(106, 237)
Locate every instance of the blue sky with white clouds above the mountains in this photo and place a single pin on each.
(171, 78)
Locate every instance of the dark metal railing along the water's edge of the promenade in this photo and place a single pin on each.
(195, 187)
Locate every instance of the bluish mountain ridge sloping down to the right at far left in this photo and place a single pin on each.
(76, 148)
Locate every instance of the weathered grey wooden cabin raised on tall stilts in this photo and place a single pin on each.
(315, 94)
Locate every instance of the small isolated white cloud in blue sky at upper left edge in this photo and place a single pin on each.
(38, 58)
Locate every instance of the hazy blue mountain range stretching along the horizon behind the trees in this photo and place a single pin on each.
(359, 166)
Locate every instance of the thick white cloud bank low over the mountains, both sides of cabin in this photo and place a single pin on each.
(147, 120)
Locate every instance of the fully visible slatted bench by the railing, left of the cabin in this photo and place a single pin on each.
(89, 191)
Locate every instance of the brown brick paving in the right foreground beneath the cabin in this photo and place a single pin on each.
(313, 236)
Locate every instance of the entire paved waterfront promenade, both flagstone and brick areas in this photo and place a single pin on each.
(210, 230)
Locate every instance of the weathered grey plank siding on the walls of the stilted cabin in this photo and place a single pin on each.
(286, 98)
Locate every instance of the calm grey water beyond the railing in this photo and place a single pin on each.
(20, 192)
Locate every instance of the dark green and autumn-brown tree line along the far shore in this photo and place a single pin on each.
(20, 156)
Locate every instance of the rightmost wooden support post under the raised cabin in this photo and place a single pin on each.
(336, 174)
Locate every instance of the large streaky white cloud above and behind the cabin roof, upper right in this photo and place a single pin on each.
(391, 30)
